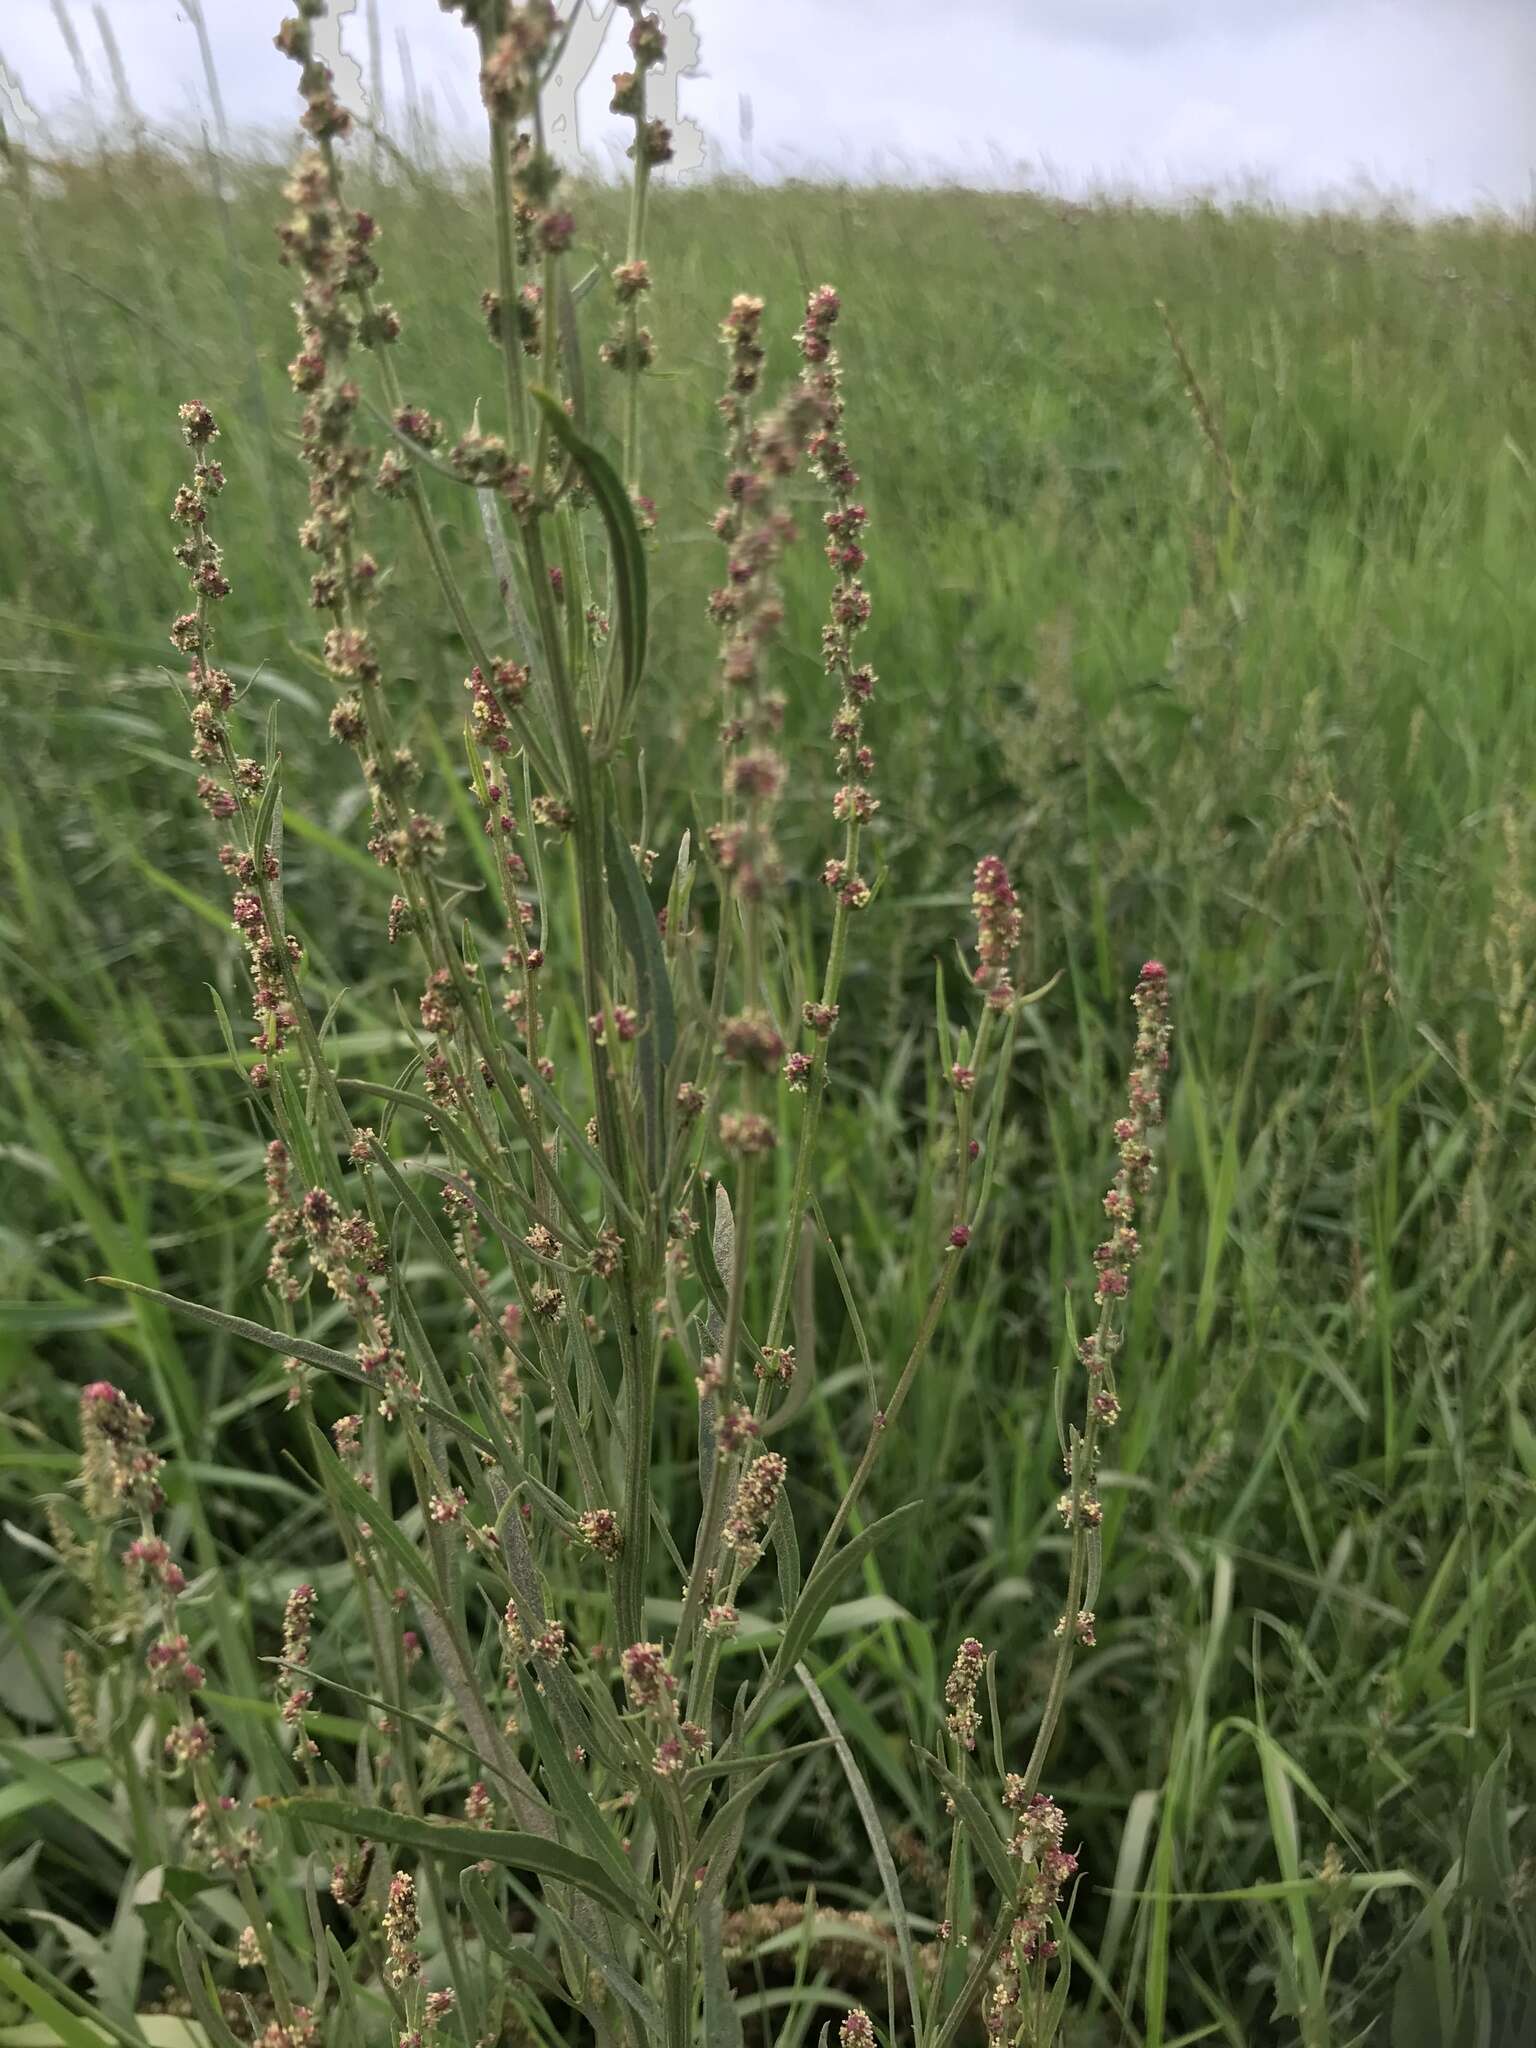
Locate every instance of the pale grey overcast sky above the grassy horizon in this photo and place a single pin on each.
(1420, 99)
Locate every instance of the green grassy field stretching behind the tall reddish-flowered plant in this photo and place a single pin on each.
(1248, 695)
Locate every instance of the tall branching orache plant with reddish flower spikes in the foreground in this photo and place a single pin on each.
(511, 1795)
